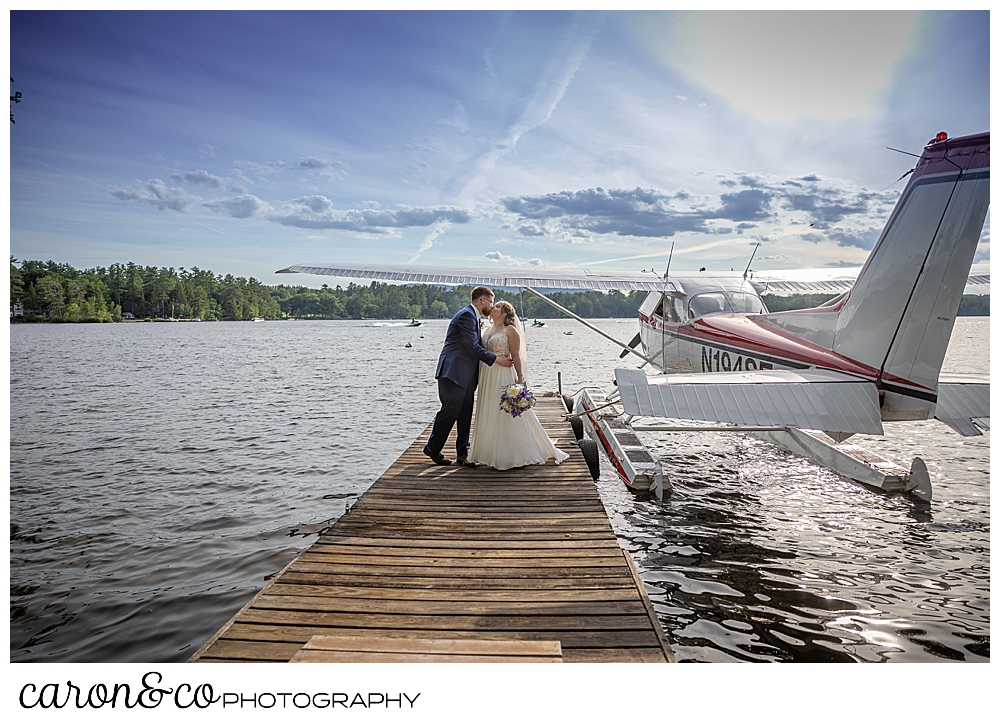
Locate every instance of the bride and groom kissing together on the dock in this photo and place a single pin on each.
(493, 360)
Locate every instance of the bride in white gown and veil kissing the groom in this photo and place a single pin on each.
(499, 440)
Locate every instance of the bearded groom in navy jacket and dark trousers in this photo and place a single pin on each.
(458, 375)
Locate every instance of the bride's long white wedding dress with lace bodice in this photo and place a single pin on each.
(499, 440)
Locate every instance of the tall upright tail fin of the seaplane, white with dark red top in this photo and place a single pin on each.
(899, 315)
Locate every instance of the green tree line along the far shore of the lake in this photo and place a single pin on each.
(50, 291)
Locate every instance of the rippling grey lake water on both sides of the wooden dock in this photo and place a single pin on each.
(161, 473)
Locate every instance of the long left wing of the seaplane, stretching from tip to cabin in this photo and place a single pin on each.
(541, 278)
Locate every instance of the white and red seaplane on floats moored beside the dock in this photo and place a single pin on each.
(715, 359)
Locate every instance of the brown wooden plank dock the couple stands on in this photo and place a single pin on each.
(433, 556)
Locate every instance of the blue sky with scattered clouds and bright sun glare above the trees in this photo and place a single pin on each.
(244, 142)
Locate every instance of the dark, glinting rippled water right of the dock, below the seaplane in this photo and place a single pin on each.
(759, 555)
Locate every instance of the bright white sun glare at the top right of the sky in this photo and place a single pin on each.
(781, 67)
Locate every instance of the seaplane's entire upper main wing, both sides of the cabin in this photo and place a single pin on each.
(834, 280)
